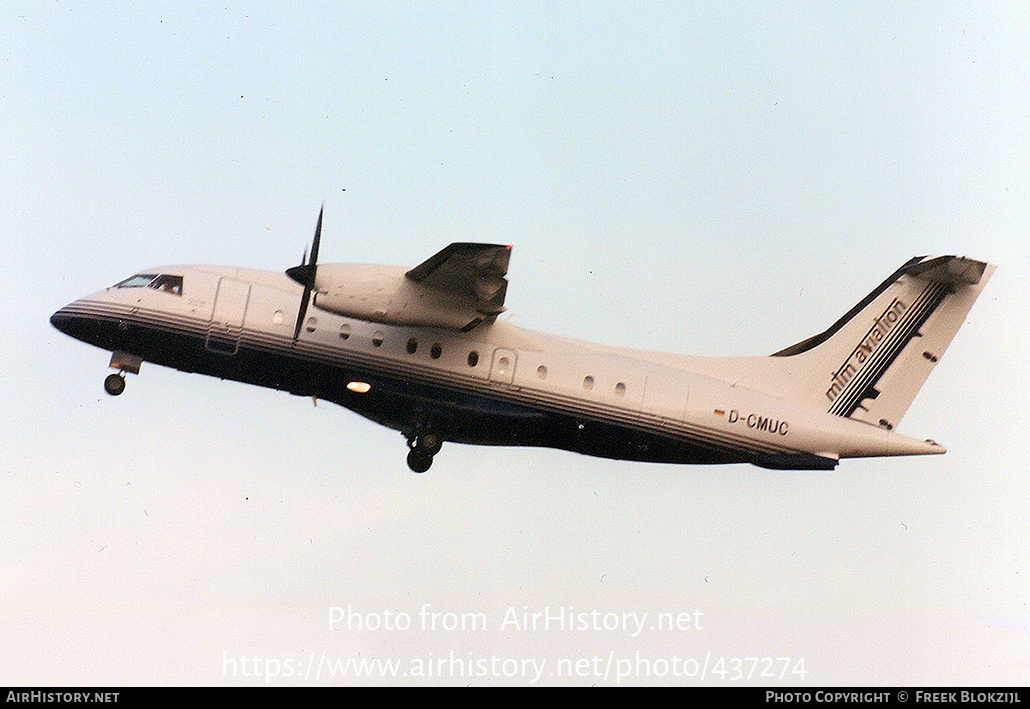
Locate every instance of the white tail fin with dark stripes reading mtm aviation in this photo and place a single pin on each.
(871, 364)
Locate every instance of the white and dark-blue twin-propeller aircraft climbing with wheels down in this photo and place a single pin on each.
(422, 351)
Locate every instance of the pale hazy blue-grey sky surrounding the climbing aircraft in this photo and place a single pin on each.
(693, 178)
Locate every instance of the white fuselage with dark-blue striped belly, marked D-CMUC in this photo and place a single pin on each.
(228, 322)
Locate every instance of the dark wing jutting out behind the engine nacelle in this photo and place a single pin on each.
(469, 271)
